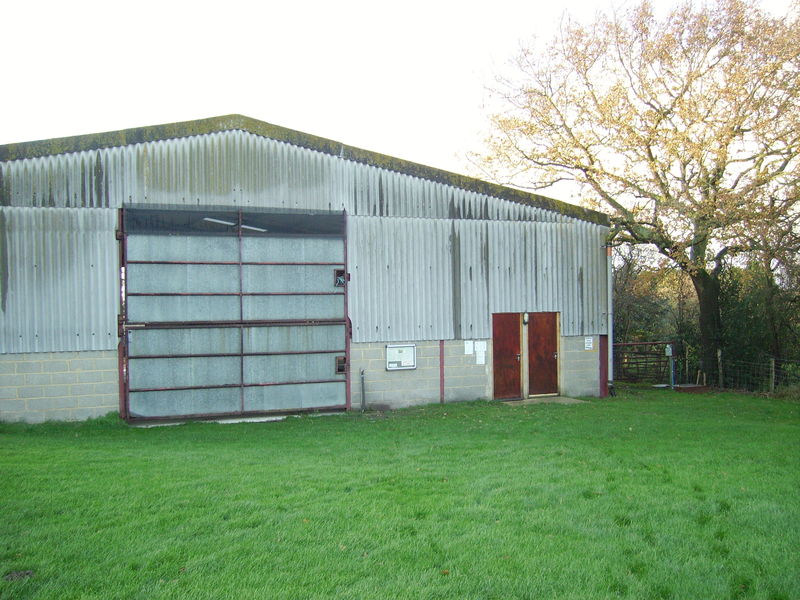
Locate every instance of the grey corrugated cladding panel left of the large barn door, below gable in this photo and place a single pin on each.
(62, 279)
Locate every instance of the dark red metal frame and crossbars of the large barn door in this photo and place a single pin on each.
(124, 325)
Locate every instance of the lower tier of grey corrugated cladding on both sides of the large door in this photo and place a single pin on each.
(61, 271)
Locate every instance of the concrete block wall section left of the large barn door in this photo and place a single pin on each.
(61, 386)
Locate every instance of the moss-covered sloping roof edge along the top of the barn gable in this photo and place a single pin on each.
(240, 122)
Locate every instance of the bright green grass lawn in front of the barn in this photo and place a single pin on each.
(653, 494)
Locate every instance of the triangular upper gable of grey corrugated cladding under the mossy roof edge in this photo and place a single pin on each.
(236, 168)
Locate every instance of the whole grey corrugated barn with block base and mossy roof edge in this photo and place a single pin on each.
(231, 267)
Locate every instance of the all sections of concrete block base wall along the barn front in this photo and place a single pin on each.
(80, 385)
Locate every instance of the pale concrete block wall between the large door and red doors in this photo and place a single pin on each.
(464, 378)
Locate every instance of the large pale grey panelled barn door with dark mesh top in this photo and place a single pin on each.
(227, 312)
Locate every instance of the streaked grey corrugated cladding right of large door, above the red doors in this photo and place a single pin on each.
(428, 279)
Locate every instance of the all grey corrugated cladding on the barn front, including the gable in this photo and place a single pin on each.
(448, 260)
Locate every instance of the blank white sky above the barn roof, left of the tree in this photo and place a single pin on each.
(405, 78)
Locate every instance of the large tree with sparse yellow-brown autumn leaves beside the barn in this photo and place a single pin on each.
(686, 128)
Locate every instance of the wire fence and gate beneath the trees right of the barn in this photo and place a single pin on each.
(674, 363)
